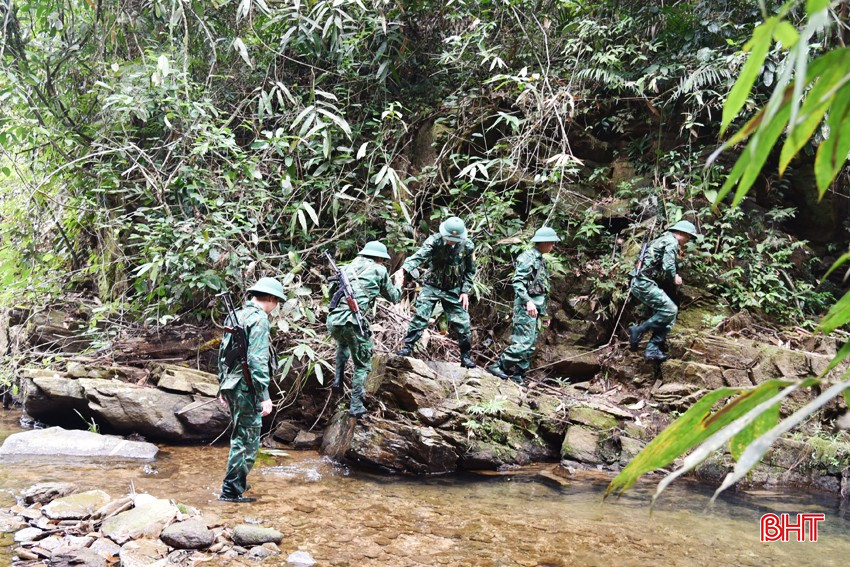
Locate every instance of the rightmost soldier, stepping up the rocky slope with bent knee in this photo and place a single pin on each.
(659, 267)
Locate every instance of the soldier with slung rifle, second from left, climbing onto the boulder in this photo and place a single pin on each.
(368, 278)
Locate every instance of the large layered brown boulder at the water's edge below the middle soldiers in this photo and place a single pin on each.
(440, 418)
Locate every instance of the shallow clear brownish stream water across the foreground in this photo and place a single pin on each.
(344, 517)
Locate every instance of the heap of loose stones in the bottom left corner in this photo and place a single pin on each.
(61, 525)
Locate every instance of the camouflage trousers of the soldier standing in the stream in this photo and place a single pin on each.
(244, 441)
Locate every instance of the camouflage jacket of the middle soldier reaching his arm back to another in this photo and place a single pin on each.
(450, 267)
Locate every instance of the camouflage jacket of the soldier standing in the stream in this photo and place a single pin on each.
(260, 357)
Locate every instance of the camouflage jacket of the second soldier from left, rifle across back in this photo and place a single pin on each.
(368, 280)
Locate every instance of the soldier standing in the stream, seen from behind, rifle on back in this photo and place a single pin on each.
(247, 412)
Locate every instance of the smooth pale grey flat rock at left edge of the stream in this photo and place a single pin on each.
(57, 441)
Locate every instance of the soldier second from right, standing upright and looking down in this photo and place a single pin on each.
(531, 285)
